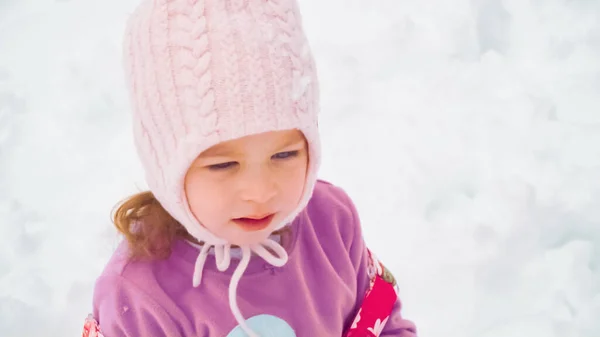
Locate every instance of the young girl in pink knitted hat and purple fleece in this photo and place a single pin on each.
(236, 236)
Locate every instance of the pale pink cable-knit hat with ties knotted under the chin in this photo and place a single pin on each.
(202, 72)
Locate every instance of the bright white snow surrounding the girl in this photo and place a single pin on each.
(467, 132)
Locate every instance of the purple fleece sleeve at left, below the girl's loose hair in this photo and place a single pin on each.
(124, 310)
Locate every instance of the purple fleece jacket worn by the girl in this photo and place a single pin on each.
(316, 294)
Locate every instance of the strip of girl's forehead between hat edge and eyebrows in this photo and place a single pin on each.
(265, 141)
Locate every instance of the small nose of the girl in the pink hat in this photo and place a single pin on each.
(258, 186)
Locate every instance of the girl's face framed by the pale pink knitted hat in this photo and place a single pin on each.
(241, 189)
